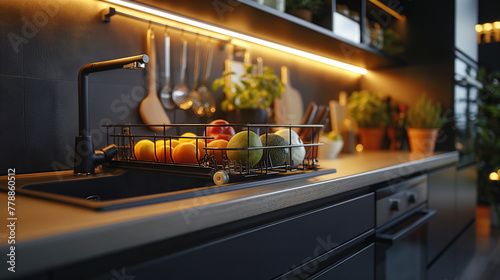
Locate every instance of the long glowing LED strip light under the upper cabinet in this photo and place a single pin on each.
(237, 35)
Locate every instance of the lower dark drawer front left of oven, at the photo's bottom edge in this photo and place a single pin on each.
(360, 265)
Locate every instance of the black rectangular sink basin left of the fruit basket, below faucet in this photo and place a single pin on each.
(119, 189)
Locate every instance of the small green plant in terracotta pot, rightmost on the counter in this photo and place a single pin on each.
(424, 121)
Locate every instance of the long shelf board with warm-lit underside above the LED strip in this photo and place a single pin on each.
(263, 22)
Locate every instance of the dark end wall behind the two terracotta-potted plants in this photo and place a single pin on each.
(429, 68)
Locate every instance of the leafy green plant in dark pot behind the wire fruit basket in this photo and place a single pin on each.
(247, 100)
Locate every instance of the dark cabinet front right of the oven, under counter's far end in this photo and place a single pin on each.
(451, 233)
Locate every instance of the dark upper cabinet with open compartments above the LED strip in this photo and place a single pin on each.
(357, 32)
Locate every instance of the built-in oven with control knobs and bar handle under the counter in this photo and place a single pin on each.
(401, 234)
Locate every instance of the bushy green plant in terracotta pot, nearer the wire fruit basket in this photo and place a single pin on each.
(369, 111)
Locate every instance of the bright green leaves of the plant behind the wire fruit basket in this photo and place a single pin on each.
(253, 90)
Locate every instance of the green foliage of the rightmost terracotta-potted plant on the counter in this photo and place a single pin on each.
(425, 114)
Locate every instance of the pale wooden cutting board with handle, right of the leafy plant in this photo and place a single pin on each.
(289, 108)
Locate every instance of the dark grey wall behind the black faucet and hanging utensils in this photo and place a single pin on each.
(43, 45)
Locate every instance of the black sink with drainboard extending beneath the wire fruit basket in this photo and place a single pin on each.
(124, 188)
